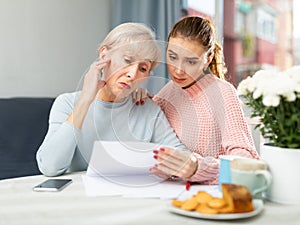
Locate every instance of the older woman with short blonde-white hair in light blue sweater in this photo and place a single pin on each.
(103, 109)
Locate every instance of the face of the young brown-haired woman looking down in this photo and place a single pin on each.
(186, 60)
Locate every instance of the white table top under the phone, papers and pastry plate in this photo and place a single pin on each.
(20, 205)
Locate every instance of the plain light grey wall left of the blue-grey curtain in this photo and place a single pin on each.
(46, 46)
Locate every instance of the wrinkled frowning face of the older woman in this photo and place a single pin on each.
(126, 71)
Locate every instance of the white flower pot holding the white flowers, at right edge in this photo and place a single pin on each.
(284, 165)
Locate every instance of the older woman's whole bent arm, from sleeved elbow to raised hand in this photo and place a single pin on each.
(55, 155)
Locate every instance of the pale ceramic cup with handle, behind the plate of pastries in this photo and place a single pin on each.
(251, 173)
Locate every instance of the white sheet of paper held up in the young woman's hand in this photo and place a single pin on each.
(121, 158)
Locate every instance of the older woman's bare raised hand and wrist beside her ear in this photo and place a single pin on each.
(92, 84)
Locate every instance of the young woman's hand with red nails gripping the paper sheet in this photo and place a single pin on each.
(182, 164)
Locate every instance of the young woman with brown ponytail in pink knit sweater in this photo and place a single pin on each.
(200, 105)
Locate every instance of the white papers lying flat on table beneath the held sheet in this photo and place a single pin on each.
(116, 186)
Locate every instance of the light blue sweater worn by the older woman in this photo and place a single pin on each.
(66, 148)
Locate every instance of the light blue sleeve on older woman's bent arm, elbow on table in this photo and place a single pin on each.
(56, 152)
